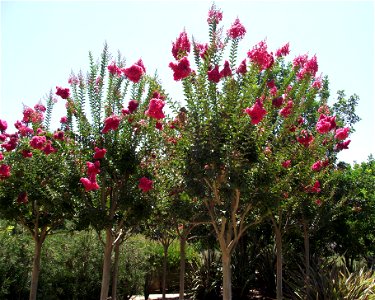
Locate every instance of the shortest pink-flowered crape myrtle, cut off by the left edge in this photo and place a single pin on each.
(38, 177)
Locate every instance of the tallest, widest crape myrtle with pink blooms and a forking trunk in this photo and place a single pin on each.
(251, 129)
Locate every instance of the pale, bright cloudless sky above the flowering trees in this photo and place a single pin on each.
(42, 42)
